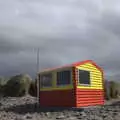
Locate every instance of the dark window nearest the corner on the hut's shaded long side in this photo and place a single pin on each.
(64, 77)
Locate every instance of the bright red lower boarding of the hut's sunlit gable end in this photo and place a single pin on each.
(88, 97)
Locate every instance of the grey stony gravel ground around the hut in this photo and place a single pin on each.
(24, 108)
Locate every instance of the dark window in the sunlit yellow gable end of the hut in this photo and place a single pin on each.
(84, 77)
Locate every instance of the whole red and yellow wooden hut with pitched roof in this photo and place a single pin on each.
(76, 85)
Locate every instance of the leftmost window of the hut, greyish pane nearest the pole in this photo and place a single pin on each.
(46, 80)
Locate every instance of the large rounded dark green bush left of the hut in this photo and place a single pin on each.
(17, 86)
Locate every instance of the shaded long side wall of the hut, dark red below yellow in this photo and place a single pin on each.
(62, 96)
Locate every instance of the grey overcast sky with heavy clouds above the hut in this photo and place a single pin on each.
(66, 31)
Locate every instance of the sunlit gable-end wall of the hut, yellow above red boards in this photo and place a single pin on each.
(94, 93)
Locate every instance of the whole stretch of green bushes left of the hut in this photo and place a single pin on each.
(18, 85)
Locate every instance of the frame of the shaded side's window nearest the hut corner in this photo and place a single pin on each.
(63, 85)
